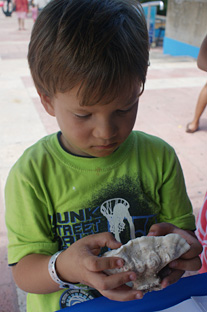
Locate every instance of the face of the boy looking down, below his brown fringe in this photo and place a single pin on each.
(96, 130)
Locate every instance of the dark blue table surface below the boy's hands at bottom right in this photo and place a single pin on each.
(186, 287)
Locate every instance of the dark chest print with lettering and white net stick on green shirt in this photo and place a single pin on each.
(127, 212)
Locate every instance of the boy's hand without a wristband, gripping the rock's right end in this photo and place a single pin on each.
(190, 261)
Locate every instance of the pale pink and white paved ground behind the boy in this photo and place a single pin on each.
(172, 89)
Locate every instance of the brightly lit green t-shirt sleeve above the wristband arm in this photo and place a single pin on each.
(27, 221)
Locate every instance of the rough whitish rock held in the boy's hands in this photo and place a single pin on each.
(146, 256)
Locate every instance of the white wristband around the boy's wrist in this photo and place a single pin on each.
(54, 276)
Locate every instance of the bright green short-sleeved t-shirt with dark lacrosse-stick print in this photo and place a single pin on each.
(54, 198)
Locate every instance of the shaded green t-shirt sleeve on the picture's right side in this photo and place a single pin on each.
(175, 203)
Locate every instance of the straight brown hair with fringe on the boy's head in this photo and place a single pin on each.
(101, 45)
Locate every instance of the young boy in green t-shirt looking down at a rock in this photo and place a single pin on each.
(96, 183)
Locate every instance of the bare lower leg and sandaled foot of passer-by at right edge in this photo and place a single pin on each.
(200, 106)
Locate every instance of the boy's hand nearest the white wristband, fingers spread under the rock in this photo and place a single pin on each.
(80, 264)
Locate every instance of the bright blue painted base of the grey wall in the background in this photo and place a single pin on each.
(177, 48)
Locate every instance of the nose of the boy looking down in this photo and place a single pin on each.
(105, 129)
